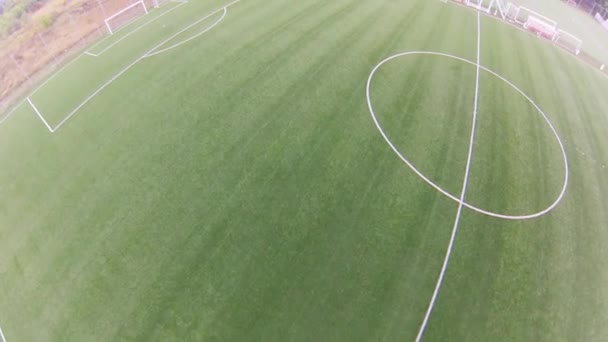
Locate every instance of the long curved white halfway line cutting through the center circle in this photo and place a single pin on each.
(462, 195)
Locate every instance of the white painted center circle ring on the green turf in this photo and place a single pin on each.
(437, 187)
